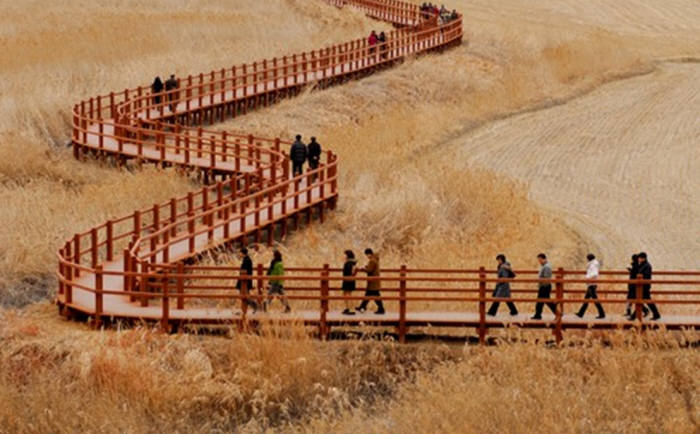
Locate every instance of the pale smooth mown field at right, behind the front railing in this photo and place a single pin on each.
(621, 165)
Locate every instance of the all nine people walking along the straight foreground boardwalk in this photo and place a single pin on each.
(640, 267)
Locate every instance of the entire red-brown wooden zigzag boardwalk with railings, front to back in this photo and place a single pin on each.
(133, 267)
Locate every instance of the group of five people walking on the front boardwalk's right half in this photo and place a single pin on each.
(640, 267)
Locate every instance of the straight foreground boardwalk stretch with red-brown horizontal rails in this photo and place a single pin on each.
(182, 294)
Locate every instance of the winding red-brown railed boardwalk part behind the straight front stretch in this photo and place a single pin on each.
(256, 193)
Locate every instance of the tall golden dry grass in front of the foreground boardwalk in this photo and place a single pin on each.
(60, 377)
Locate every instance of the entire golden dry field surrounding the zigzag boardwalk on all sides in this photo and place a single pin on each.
(559, 126)
